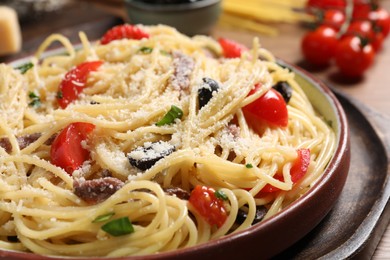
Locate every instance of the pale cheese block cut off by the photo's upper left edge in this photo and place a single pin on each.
(10, 35)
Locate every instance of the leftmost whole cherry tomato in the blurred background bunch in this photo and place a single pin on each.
(318, 46)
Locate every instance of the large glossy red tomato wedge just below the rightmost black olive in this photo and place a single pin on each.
(268, 110)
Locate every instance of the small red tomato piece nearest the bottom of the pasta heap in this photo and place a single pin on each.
(210, 207)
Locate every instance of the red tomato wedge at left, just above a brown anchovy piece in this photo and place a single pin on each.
(67, 150)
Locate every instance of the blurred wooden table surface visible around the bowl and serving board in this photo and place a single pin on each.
(373, 90)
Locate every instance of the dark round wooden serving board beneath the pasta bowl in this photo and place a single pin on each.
(361, 215)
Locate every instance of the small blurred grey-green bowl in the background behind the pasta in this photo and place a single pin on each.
(191, 18)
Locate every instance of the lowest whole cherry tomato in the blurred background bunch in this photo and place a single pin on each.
(353, 57)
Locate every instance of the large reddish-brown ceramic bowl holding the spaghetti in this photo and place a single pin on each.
(281, 231)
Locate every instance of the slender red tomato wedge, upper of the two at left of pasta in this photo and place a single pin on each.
(74, 82)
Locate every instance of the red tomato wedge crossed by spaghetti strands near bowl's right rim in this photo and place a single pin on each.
(297, 171)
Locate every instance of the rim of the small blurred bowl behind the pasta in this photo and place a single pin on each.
(191, 6)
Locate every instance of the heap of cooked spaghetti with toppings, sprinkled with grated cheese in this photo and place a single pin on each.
(148, 139)
